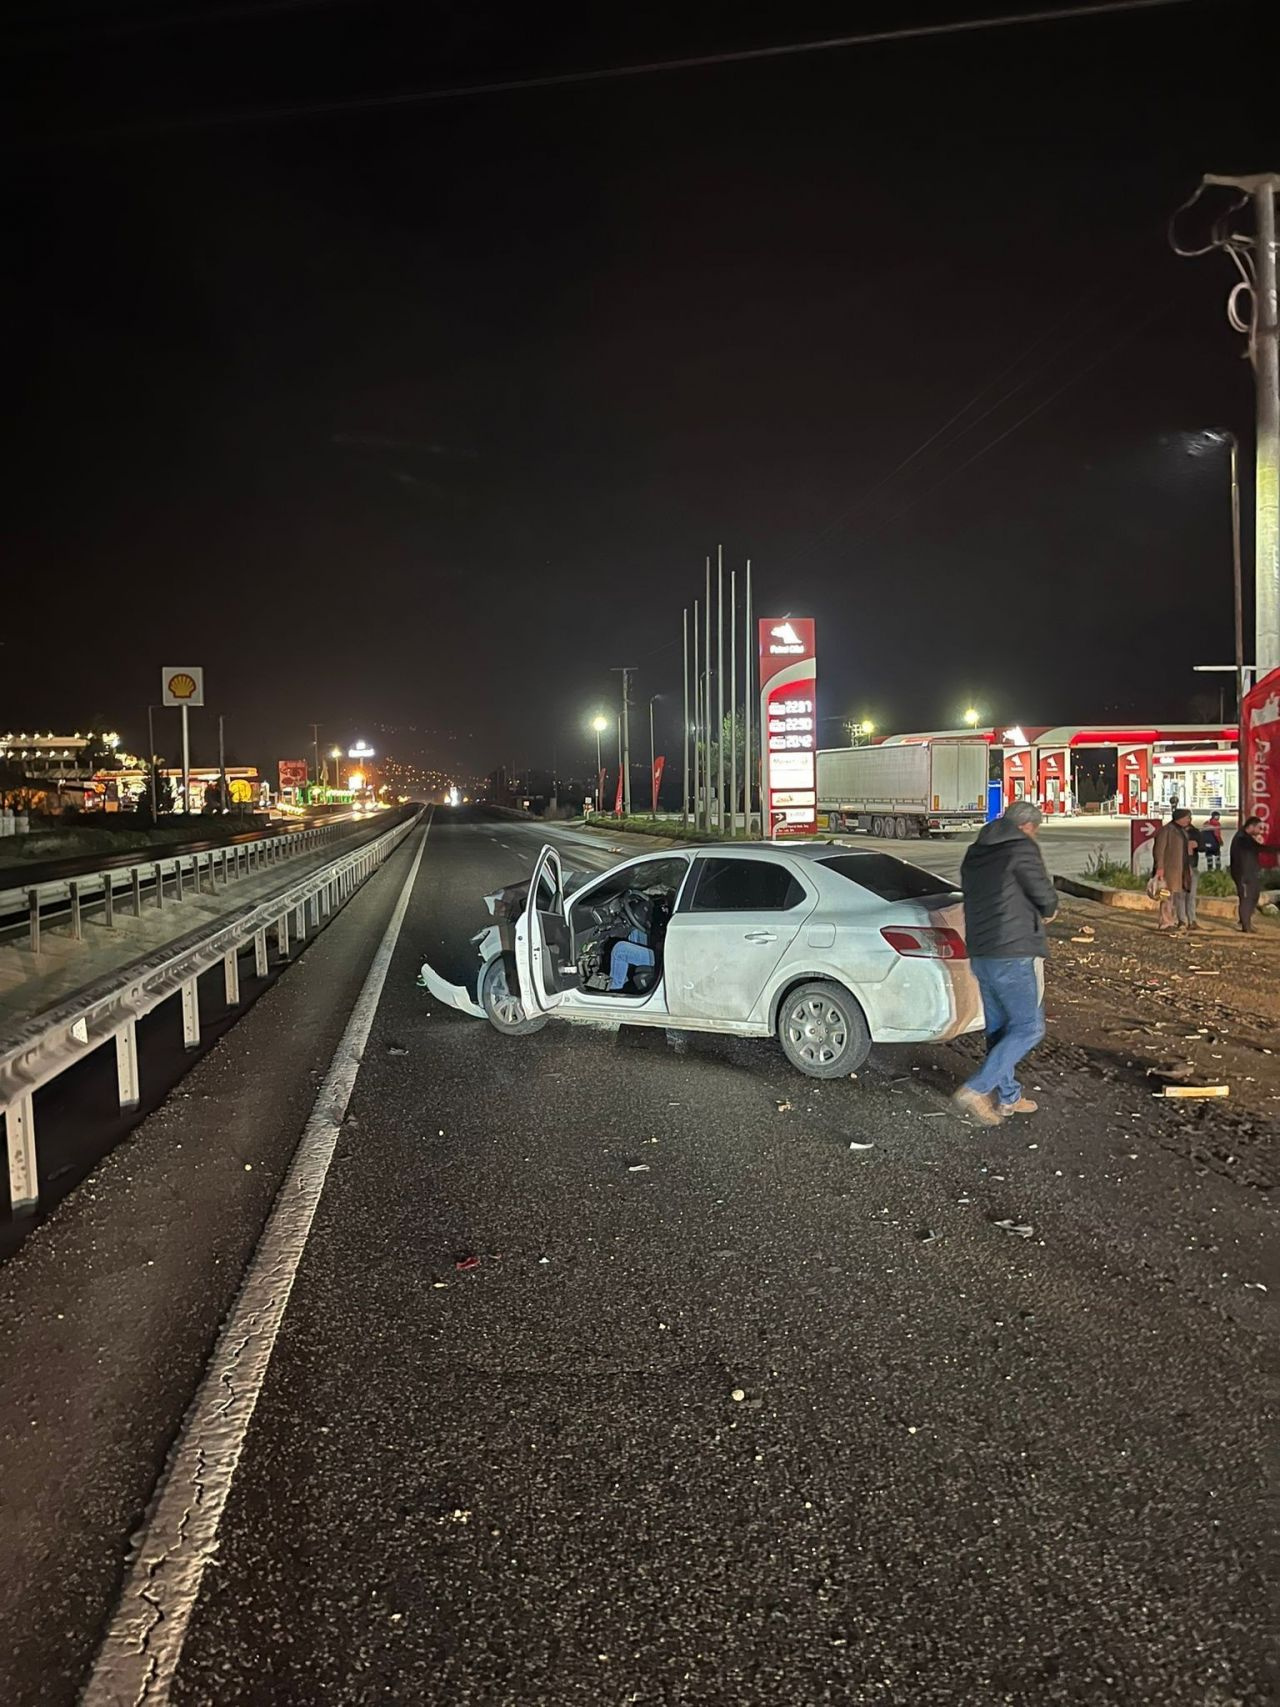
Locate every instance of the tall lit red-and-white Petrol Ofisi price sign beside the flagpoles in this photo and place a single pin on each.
(789, 723)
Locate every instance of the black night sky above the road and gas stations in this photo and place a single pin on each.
(422, 417)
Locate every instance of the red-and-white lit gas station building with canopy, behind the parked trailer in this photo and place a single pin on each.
(1197, 766)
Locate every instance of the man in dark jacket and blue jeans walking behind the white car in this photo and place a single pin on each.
(1008, 902)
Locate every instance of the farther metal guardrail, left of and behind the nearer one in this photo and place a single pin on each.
(156, 878)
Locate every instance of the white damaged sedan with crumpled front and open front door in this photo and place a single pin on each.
(825, 948)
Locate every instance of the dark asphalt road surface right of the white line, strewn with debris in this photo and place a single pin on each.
(965, 1465)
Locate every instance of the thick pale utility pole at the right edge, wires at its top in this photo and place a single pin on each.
(1267, 481)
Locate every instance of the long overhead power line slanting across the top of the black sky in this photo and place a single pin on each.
(1061, 15)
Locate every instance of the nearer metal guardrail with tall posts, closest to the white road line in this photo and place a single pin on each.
(110, 1010)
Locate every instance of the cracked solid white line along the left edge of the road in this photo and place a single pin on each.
(144, 1641)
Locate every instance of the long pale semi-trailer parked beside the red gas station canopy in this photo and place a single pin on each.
(904, 791)
